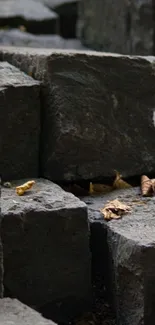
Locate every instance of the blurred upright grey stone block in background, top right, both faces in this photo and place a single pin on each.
(122, 26)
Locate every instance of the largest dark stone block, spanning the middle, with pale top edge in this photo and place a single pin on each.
(99, 112)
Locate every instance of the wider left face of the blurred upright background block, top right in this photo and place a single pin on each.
(102, 26)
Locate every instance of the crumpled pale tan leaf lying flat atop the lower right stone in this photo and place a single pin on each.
(114, 210)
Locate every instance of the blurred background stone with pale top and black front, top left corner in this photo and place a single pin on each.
(36, 18)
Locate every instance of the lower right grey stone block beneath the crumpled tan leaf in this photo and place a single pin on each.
(124, 253)
